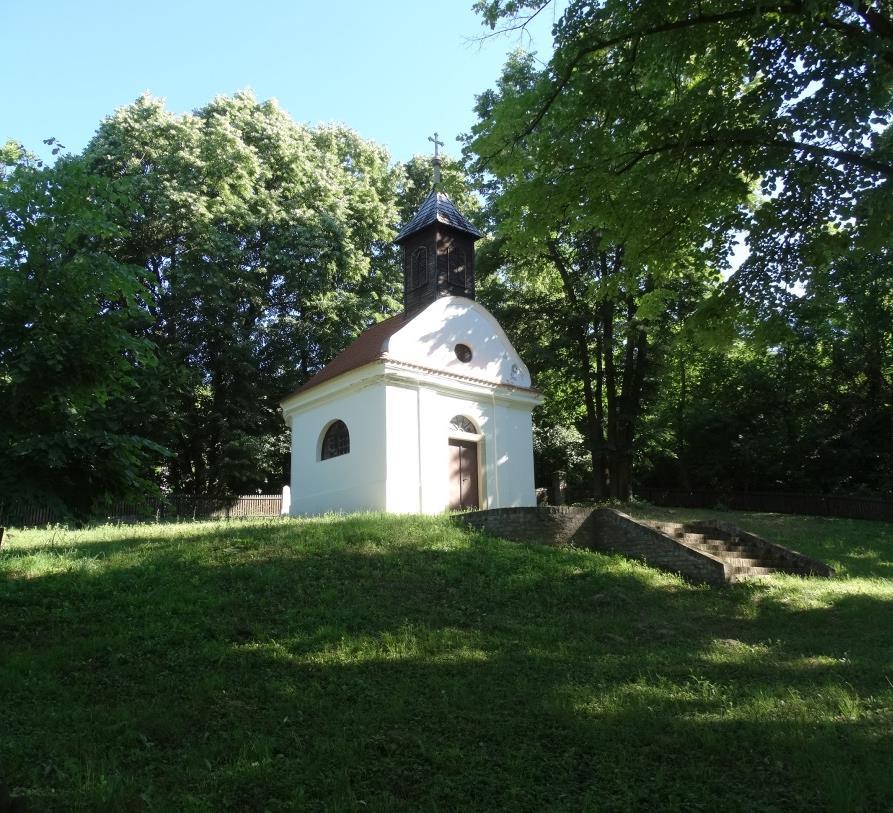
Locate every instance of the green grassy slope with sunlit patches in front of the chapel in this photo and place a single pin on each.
(382, 663)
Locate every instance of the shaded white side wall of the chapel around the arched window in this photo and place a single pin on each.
(350, 482)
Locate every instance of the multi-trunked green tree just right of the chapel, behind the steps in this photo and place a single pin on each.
(609, 286)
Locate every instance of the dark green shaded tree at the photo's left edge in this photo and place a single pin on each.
(71, 353)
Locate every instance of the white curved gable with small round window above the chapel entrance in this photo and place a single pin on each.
(429, 340)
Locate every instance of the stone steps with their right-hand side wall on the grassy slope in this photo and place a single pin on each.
(743, 555)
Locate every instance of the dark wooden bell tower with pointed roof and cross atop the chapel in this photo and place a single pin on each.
(438, 249)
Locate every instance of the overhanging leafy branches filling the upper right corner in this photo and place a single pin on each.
(793, 98)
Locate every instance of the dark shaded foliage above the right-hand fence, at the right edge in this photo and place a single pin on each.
(811, 411)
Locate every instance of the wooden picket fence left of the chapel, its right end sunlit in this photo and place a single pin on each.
(25, 513)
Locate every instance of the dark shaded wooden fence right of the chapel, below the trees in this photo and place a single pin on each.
(823, 505)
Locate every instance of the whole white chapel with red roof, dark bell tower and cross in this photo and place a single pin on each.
(429, 410)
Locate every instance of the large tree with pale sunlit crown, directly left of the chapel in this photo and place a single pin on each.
(263, 249)
